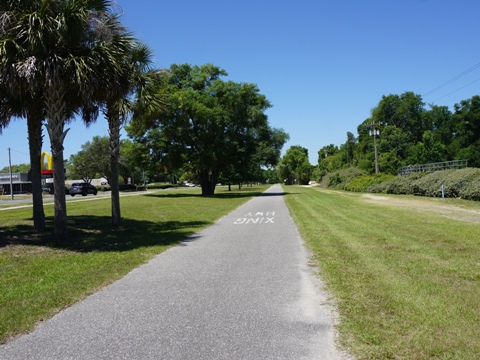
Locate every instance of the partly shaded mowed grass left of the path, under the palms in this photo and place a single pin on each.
(38, 278)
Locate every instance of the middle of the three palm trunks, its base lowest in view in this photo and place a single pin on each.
(56, 116)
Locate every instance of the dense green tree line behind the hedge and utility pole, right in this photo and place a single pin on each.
(409, 132)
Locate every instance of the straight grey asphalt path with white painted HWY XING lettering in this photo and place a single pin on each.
(239, 289)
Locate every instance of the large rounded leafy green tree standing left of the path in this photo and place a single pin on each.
(207, 124)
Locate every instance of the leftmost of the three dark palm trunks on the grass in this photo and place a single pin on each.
(35, 144)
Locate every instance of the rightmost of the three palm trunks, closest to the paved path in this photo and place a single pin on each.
(114, 132)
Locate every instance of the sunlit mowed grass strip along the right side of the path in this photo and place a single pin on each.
(406, 283)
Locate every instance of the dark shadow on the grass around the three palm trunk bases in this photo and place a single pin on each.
(95, 233)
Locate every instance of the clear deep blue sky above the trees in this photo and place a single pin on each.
(323, 64)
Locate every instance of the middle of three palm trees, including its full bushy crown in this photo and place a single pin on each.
(64, 50)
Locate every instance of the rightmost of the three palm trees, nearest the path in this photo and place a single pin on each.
(136, 80)
